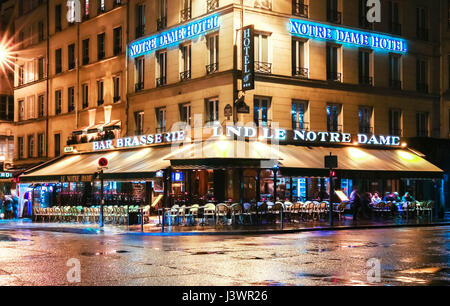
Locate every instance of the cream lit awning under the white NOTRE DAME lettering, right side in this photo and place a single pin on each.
(298, 160)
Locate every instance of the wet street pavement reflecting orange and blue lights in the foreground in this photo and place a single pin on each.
(407, 256)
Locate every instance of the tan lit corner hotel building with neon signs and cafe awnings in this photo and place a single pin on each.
(316, 69)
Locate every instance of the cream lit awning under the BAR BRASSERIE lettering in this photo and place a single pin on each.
(123, 164)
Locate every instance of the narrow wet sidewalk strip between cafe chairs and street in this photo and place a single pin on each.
(154, 229)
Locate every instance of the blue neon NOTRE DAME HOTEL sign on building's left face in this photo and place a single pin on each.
(174, 36)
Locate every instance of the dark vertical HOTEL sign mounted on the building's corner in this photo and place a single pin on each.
(248, 58)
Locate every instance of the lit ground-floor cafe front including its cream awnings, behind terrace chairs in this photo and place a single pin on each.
(228, 171)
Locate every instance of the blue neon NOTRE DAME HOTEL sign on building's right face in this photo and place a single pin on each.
(347, 36)
